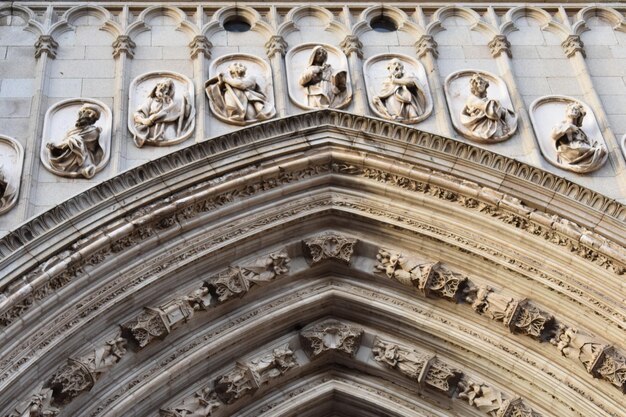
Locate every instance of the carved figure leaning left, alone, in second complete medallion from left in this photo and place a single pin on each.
(163, 116)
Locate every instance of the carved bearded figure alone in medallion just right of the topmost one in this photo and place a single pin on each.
(401, 97)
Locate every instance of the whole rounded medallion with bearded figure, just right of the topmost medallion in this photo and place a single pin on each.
(397, 87)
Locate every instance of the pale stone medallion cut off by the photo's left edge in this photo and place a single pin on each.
(11, 161)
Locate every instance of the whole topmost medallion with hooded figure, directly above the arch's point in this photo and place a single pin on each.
(318, 77)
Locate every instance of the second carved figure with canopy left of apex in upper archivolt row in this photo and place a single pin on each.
(156, 323)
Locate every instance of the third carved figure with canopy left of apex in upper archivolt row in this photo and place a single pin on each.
(80, 375)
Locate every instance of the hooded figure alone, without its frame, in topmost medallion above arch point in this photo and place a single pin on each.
(324, 88)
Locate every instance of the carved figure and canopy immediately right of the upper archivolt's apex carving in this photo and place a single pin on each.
(432, 279)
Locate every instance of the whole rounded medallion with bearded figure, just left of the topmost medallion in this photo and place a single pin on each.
(240, 89)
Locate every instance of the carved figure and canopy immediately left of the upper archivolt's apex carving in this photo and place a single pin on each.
(236, 281)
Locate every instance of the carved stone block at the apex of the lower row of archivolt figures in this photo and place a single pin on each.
(331, 336)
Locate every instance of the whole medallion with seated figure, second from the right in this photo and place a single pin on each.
(477, 115)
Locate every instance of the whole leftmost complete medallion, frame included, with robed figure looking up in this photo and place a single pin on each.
(84, 149)
